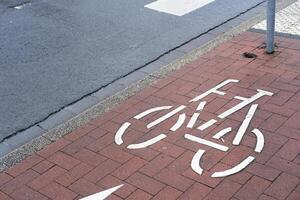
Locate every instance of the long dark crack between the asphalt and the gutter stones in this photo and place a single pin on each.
(120, 77)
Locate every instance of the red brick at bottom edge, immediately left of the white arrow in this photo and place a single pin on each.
(56, 191)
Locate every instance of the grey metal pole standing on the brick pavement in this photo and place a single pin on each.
(270, 26)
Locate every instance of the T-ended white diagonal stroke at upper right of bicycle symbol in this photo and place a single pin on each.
(245, 102)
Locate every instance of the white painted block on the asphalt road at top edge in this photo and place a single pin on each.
(177, 7)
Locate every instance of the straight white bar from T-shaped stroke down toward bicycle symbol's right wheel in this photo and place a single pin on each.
(238, 137)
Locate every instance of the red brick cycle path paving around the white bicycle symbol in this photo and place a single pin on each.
(88, 161)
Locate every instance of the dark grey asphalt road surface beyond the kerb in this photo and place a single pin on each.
(53, 52)
